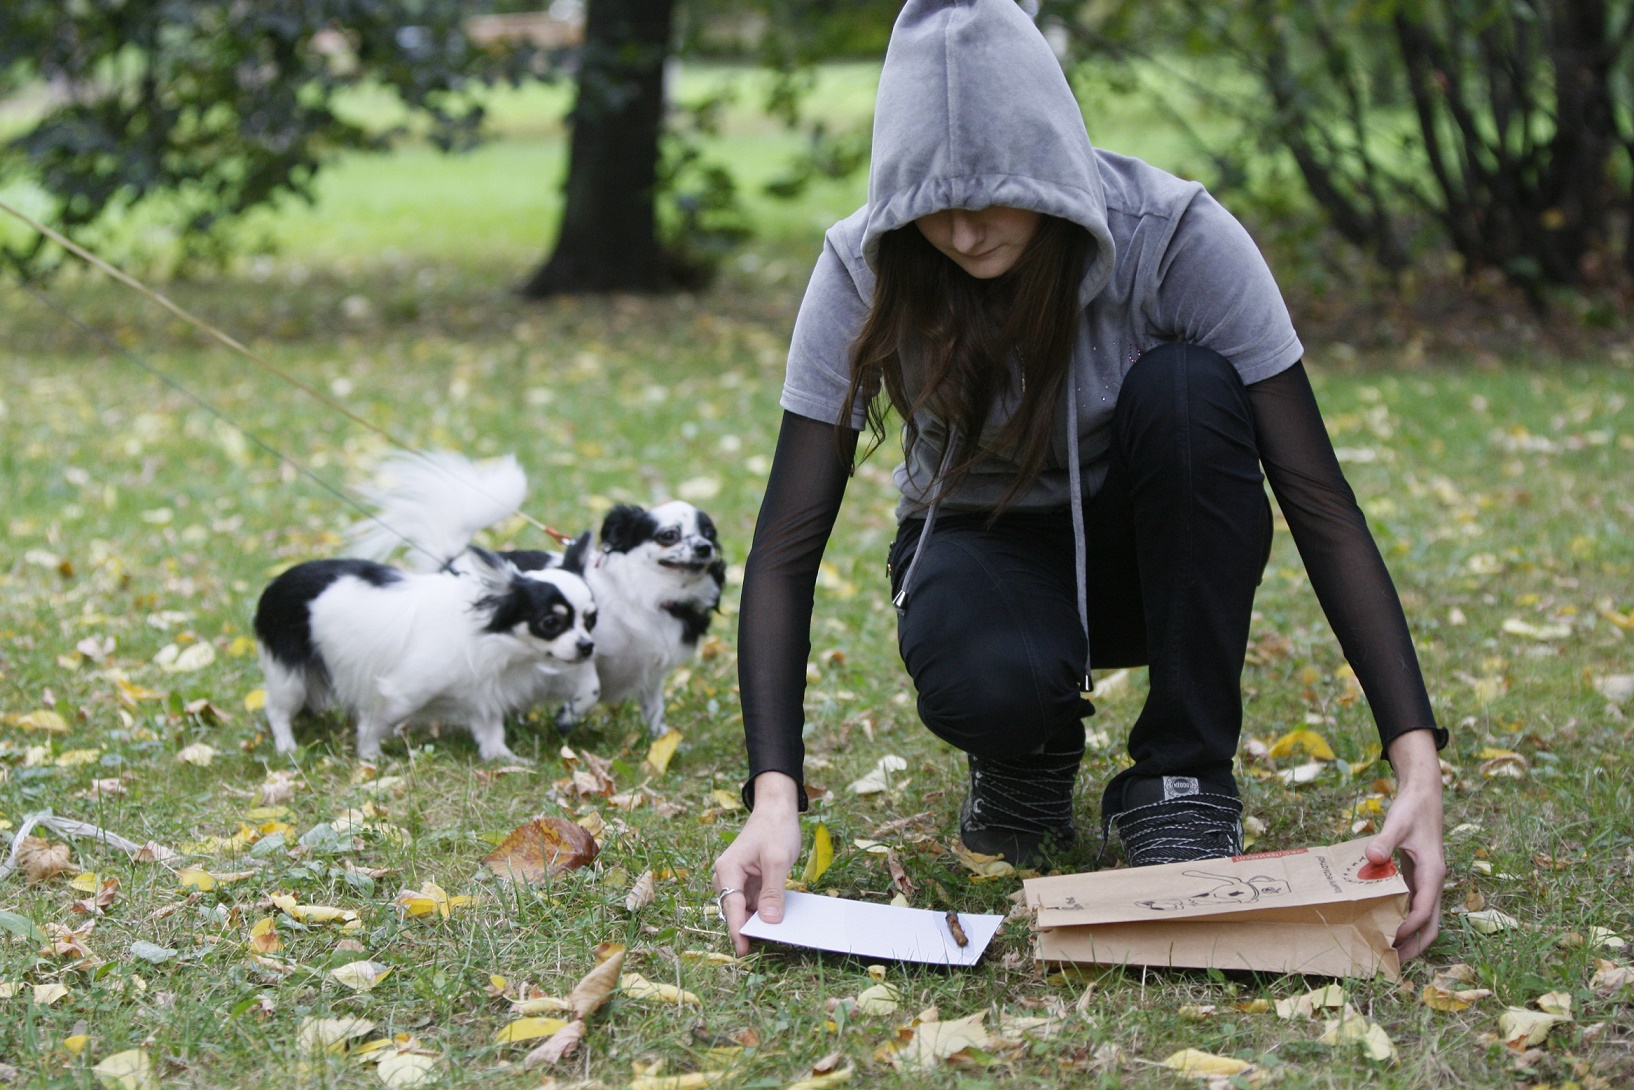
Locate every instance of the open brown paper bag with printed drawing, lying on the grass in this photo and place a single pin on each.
(1319, 911)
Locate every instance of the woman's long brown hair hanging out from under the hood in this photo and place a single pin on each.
(958, 334)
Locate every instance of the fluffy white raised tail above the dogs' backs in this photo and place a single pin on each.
(439, 503)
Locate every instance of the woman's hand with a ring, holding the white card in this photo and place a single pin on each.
(759, 862)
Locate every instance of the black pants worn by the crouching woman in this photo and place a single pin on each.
(1177, 542)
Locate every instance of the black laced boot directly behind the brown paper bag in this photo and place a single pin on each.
(1176, 820)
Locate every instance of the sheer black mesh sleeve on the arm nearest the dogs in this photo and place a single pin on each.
(780, 579)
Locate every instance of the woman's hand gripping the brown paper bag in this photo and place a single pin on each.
(1414, 826)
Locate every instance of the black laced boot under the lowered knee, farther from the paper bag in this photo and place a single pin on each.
(1020, 810)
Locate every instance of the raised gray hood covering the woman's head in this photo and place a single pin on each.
(973, 112)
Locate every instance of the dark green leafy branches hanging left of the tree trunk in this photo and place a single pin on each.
(223, 107)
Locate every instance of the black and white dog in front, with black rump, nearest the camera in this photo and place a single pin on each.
(391, 648)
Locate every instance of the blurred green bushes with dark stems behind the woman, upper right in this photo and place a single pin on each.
(1499, 132)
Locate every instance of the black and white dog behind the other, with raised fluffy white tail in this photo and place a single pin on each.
(656, 576)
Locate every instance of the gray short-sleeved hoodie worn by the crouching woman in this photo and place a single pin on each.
(975, 112)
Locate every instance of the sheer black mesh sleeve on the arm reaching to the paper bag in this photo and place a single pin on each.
(1346, 568)
